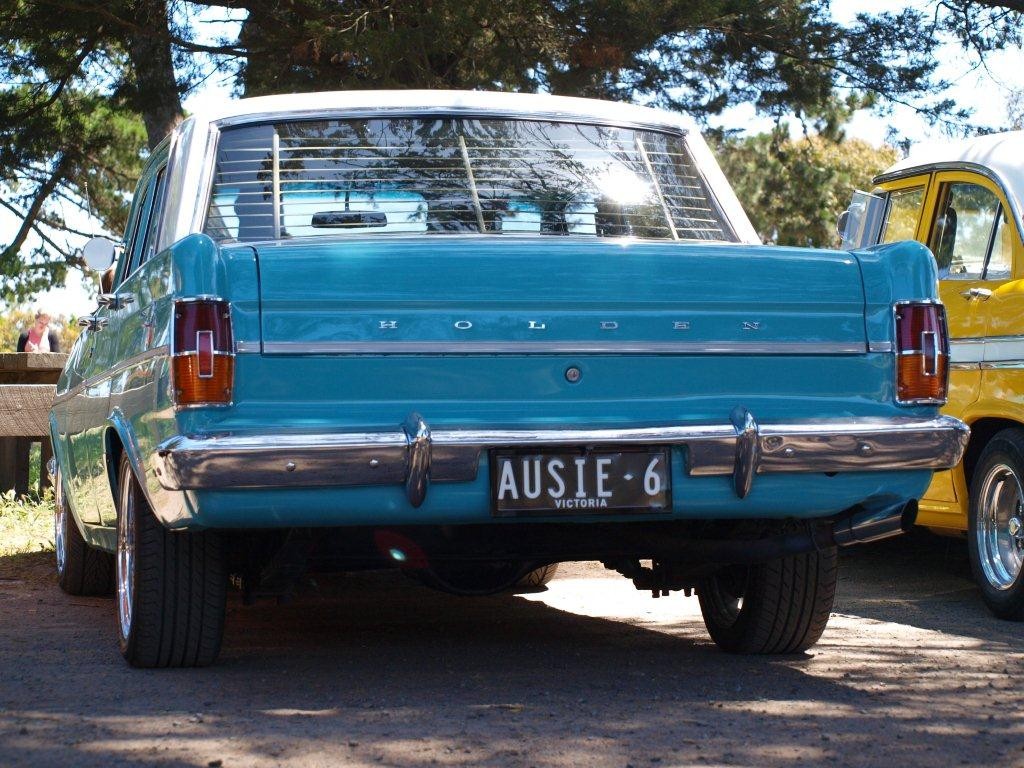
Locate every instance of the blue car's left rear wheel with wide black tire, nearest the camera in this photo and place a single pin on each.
(172, 587)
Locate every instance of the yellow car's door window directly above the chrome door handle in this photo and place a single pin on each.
(963, 230)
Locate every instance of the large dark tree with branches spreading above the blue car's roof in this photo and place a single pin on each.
(84, 80)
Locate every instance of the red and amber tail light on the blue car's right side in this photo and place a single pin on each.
(922, 354)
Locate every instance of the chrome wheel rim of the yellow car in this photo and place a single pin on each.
(999, 527)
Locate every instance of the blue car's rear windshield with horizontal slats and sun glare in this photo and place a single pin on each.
(453, 176)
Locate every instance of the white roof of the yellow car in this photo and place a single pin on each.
(1002, 154)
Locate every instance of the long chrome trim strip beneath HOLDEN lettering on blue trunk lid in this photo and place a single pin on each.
(562, 348)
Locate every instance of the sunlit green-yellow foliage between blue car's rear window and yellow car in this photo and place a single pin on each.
(794, 191)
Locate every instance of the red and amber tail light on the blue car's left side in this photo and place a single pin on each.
(203, 354)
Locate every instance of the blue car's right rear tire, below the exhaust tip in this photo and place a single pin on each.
(781, 607)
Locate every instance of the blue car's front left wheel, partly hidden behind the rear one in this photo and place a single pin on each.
(81, 570)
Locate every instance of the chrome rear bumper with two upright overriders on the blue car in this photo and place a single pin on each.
(415, 455)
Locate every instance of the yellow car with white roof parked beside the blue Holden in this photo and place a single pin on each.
(965, 201)
